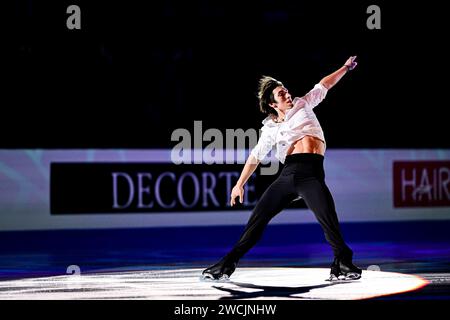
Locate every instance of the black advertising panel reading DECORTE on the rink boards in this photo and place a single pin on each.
(149, 188)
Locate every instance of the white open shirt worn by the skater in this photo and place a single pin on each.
(299, 121)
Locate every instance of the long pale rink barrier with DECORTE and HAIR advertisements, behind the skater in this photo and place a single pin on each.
(89, 189)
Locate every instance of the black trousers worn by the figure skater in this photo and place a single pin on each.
(302, 176)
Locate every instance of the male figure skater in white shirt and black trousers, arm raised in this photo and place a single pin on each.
(293, 128)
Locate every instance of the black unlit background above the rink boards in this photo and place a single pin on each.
(138, 70)
